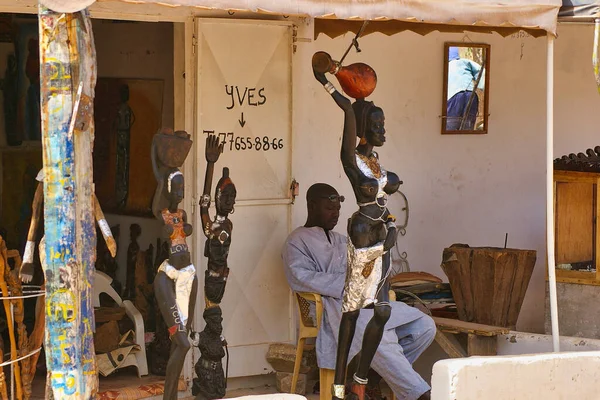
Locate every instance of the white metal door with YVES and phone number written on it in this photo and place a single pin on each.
(244, 95)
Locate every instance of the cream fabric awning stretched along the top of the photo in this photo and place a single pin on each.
(528, 14)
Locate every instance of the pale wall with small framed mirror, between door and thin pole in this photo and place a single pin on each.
(461, 188)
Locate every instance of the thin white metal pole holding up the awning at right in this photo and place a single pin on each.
(550, 192)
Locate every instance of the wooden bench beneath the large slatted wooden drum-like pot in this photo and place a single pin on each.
(477, 339)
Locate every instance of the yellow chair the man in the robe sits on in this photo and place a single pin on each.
(310, 328)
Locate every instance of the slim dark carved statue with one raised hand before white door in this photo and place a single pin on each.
(211, 382)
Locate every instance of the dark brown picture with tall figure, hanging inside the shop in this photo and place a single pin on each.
(127, 113)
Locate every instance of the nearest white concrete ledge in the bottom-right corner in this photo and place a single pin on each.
(556, 376)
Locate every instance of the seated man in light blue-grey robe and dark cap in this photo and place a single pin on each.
(314, 258)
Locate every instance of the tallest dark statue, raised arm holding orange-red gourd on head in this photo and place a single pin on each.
(371, 229)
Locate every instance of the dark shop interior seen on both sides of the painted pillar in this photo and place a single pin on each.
(133, 100)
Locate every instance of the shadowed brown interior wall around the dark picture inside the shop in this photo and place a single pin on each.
(136, 50)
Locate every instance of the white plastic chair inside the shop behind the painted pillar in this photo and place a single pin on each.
(102, 285)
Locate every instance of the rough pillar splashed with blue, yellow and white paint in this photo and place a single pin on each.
(68, 65)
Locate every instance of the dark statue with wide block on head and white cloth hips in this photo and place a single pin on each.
(175, 284)
